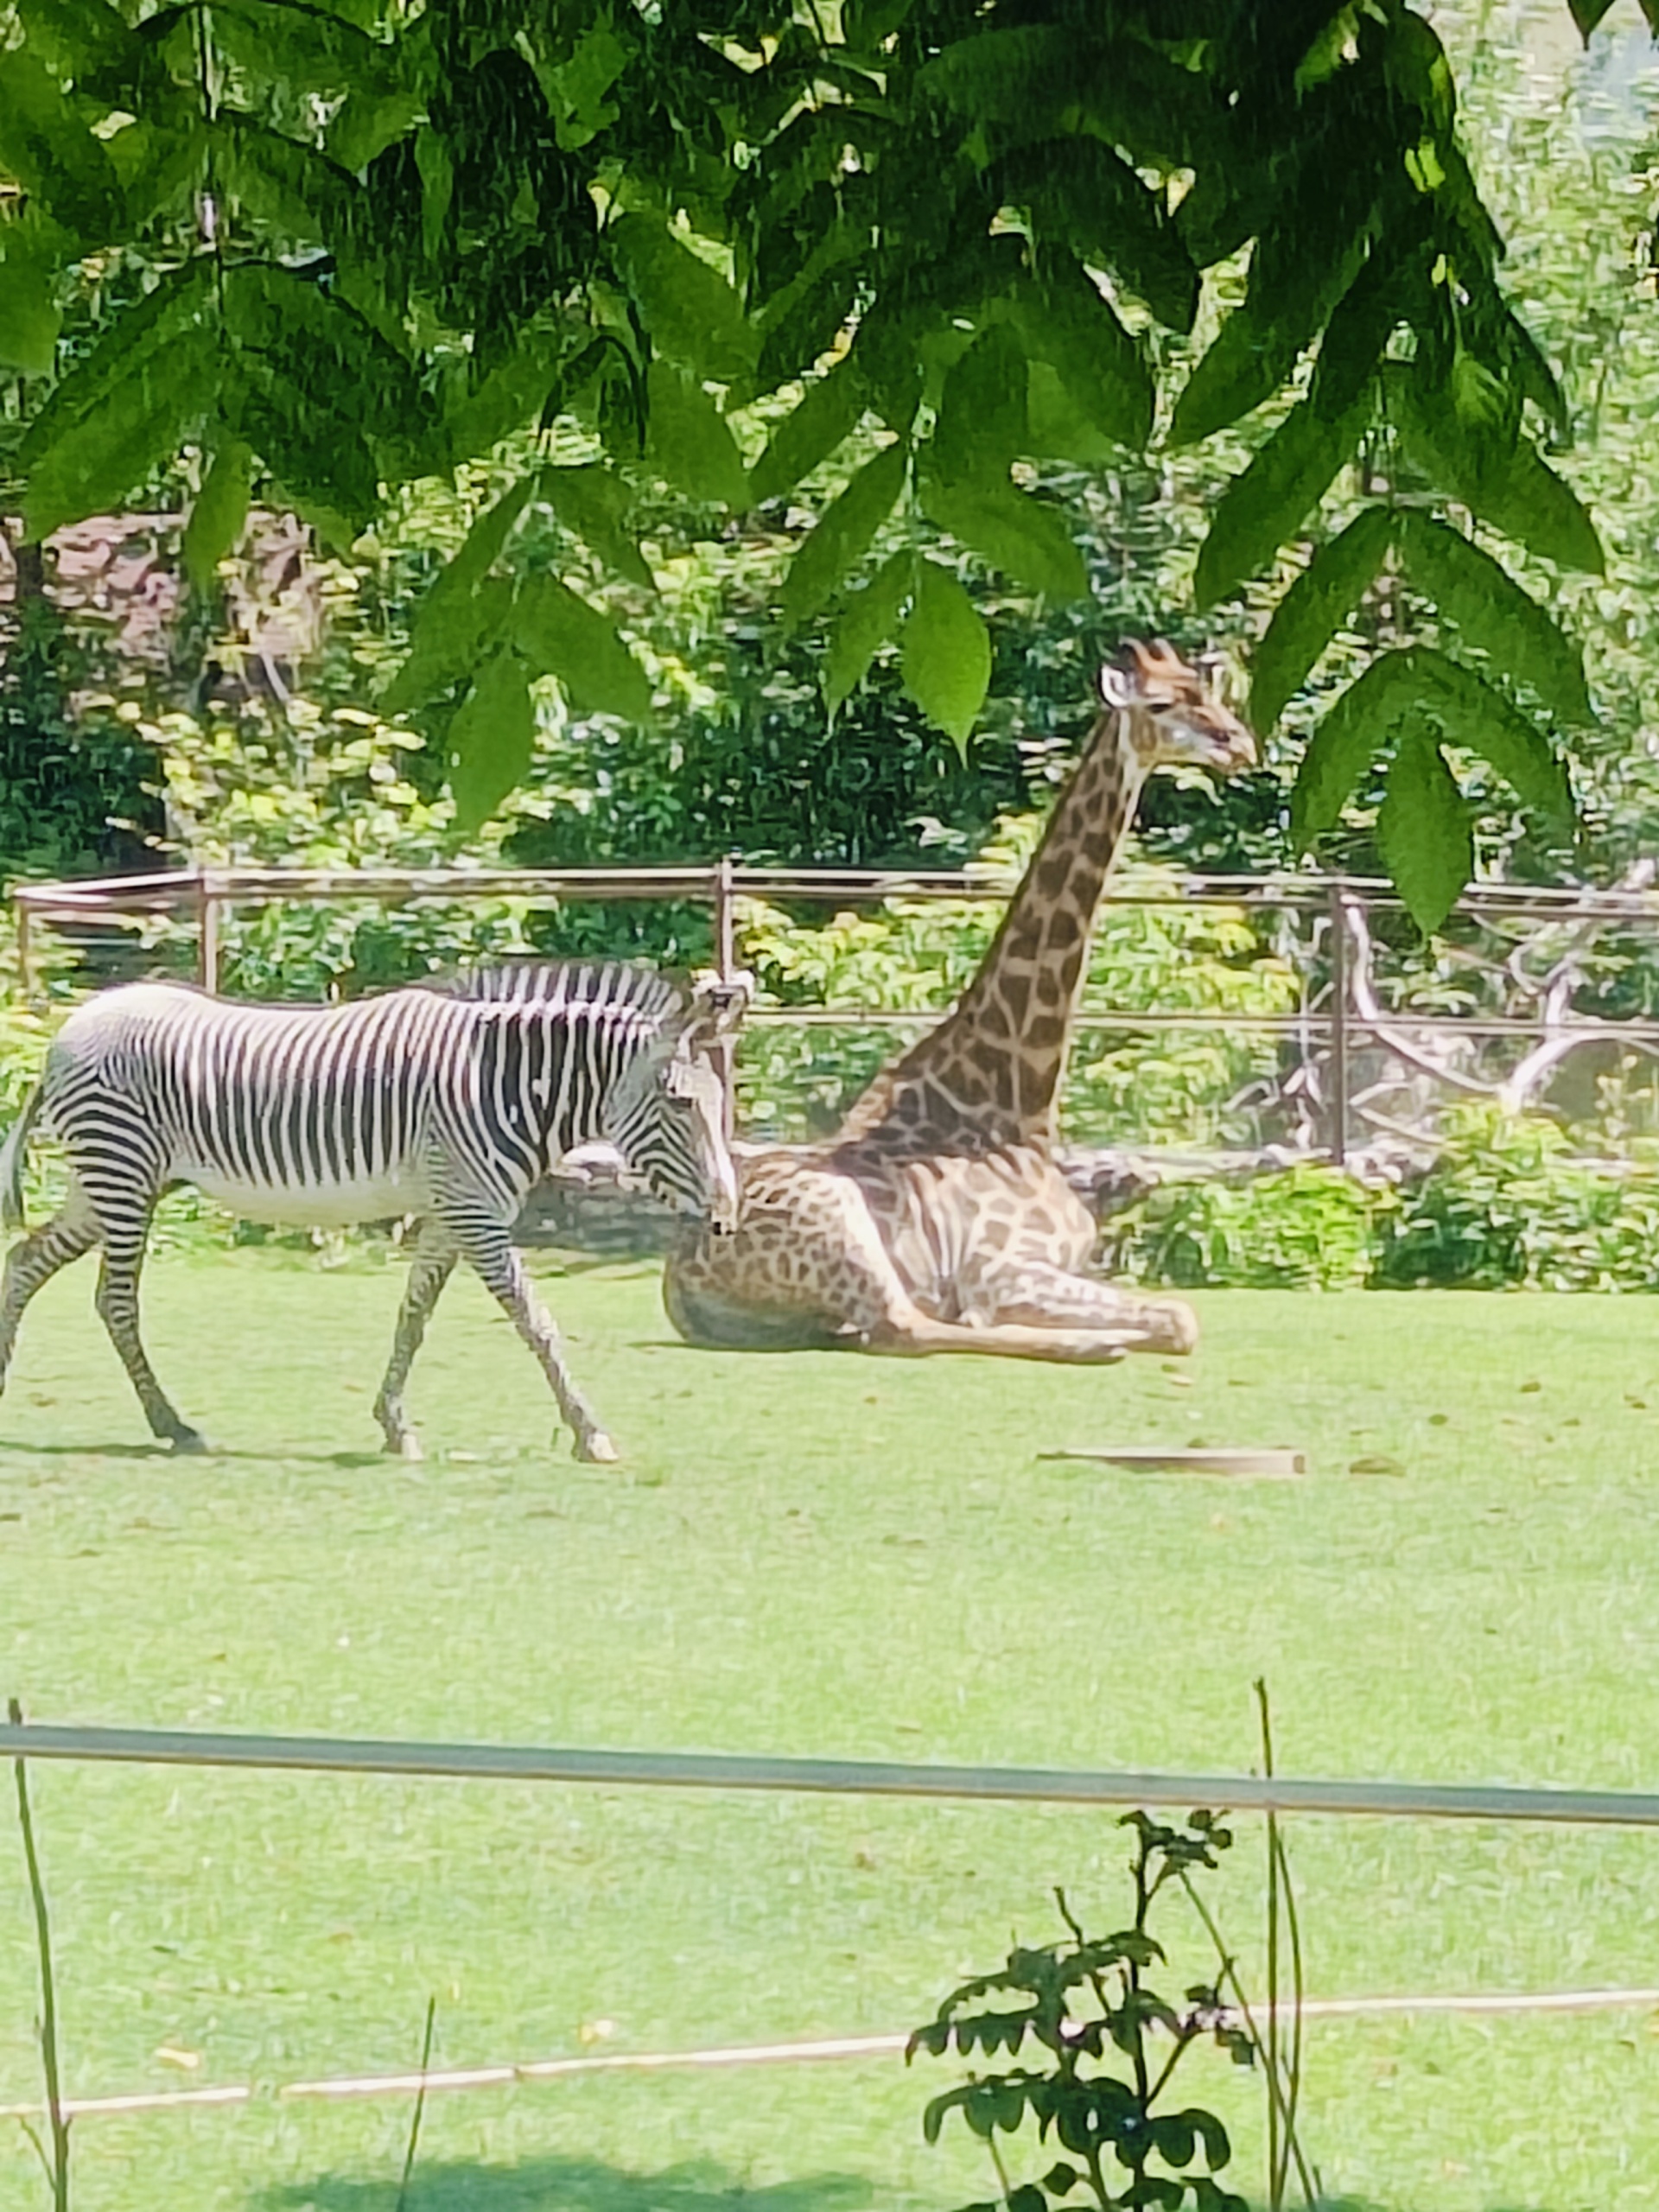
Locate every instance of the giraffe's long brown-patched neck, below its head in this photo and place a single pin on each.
(992, 1070)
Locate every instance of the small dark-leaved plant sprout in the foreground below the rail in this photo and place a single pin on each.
(1112, 2045)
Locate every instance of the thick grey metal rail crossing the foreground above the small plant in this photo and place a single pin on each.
(826, 1777)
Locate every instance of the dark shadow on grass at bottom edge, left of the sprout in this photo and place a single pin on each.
(567, 2187)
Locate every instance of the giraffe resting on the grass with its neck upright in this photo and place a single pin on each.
(937, 1218)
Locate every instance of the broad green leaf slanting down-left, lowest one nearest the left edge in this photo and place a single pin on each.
(138, 424)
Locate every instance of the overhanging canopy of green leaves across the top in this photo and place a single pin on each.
(366, 242)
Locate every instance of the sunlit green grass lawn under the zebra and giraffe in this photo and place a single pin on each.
(817, 1556)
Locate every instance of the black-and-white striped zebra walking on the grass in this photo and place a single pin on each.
(444, 1103)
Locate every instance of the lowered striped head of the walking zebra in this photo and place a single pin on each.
(667, 1112)
